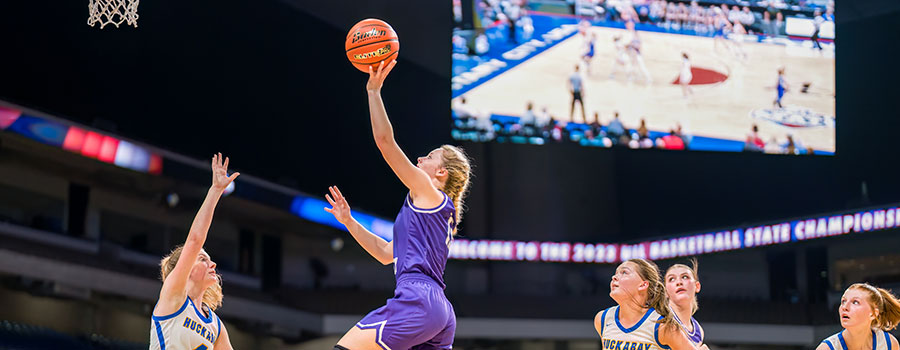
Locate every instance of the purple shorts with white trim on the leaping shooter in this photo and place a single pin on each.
(418, 317)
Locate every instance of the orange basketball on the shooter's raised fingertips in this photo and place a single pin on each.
(370, 42)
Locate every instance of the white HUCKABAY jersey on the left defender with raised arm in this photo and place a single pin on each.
(186, 329)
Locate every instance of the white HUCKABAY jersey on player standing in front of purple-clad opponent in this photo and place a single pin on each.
(644, 335)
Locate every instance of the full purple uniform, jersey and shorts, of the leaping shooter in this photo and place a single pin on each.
(418, 316)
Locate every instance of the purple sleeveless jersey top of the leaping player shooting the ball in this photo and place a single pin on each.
(422, 239)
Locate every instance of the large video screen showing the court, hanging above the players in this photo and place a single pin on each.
(719, 75)
